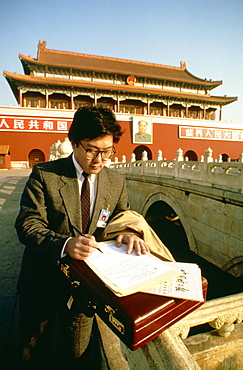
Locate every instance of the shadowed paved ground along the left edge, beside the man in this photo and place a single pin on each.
(11, 186)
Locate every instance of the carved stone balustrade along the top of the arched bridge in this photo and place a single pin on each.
(208, 171)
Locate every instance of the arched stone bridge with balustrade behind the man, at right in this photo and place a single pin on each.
(205, 197)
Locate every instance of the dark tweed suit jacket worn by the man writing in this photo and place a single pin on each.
(50, 205)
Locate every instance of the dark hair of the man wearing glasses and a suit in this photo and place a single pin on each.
(92, 122)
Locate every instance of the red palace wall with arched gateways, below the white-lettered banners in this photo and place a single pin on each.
(165, 138)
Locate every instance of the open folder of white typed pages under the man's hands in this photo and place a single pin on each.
(128, 273)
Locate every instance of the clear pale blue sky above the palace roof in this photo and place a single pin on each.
(206, 34)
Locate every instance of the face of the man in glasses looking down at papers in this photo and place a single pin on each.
(93, 166)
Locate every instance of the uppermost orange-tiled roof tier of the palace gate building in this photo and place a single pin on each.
(64, 59)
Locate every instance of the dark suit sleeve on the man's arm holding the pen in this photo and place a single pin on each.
(32, 224)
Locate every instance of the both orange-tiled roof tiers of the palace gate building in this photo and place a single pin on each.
(68, 62)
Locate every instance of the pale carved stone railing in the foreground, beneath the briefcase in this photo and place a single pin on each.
(168, 350)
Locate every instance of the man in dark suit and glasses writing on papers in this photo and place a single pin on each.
(49, 216)
